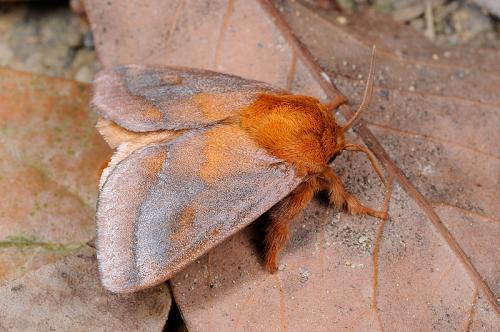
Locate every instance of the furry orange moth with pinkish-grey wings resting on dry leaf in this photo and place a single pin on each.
(200, 155)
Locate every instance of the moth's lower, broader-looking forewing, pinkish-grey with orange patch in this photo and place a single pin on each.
(168, 203)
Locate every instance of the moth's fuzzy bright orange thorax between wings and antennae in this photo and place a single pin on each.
(297, 129)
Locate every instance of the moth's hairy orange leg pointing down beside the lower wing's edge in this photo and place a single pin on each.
(280, 216)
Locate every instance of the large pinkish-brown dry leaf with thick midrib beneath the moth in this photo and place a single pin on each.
(432, 265)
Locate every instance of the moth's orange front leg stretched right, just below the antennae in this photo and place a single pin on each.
(339, 197)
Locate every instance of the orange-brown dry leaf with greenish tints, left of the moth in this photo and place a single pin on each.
(50, 156)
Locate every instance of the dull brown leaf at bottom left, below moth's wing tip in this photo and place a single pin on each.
(67, 296)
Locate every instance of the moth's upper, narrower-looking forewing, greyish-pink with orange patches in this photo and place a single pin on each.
(142, 98)
